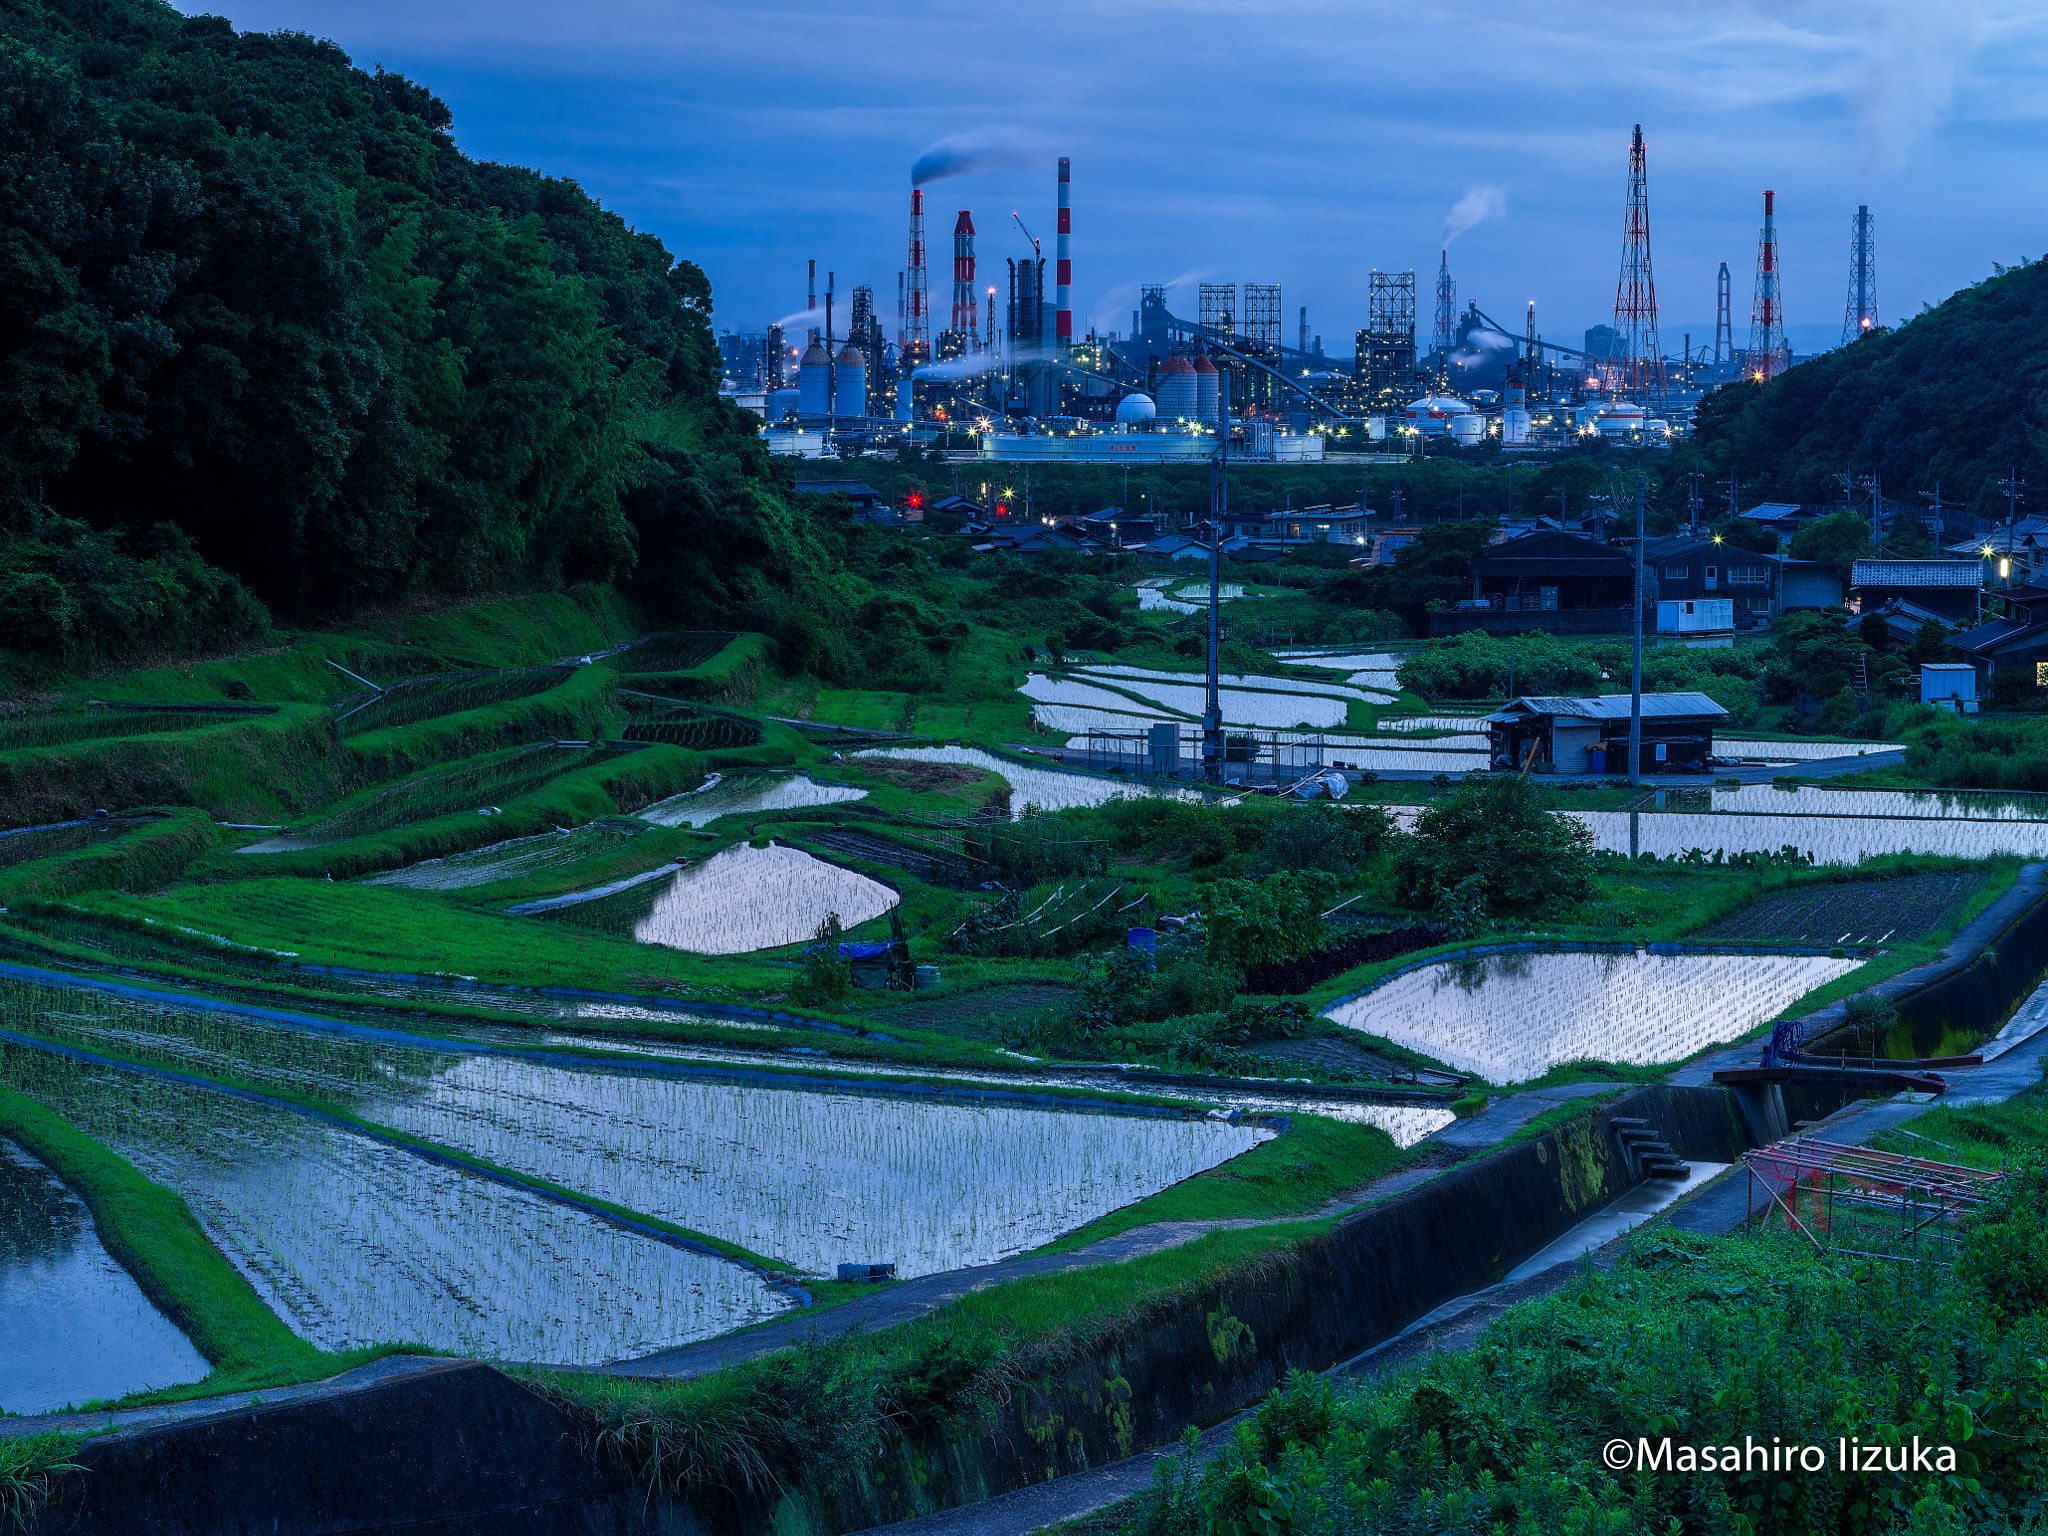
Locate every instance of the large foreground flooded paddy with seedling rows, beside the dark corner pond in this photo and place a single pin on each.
(355, 1242)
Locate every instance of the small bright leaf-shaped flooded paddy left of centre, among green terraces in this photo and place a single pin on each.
(736, 902)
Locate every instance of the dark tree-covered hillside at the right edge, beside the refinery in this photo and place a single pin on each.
(1951, 396)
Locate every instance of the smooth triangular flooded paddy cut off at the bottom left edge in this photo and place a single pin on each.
(75, 1326)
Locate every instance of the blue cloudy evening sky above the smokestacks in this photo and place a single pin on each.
(1297, 142)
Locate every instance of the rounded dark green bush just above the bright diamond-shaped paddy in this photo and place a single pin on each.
(1498, 830)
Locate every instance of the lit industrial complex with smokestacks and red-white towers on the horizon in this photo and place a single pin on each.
(1011, 380)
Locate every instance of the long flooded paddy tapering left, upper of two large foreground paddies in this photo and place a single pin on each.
(800, 1175)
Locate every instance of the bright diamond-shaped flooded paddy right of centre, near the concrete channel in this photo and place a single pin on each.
(1512, 1017)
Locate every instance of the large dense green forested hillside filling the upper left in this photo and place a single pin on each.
(271, 341)
